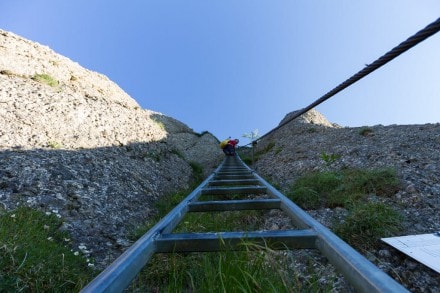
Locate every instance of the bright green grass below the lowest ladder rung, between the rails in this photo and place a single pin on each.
(255, 269)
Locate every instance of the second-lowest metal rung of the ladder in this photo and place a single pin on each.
(235, 205)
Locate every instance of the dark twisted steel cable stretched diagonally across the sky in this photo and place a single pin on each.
(417, 38)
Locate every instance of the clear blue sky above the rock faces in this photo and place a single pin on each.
(233, 66)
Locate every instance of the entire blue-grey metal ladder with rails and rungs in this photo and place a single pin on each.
(234, 177)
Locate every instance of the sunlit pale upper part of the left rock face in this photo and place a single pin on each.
(83, 109)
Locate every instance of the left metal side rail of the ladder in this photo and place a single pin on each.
(118, 275)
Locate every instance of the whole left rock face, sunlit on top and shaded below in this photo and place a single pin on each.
(73, 143)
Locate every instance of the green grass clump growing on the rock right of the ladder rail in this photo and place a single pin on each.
(366, 222)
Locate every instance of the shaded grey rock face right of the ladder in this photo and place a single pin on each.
(412, 150)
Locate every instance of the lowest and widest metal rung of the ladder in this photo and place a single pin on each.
(204, 242)
